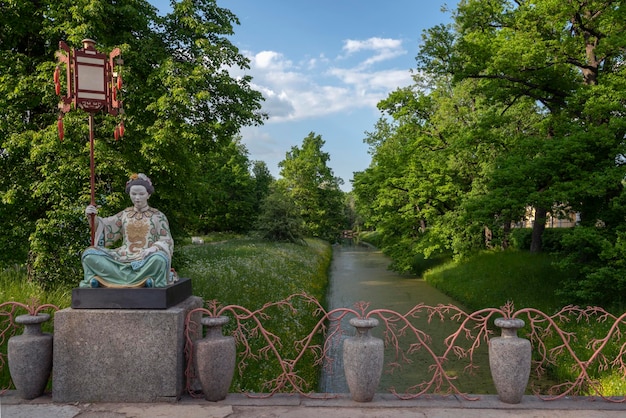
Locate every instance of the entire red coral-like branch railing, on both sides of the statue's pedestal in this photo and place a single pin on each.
(406, 335)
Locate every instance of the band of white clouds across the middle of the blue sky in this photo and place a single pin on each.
(316, 87)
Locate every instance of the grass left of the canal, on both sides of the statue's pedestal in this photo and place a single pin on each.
(236, 270)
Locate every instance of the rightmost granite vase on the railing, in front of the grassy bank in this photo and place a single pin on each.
(509, 361)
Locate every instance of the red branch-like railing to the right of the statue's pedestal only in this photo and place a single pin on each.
(550, 339)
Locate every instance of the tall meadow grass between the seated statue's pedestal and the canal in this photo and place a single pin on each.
(251, 273)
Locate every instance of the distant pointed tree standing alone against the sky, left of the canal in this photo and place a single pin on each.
(313, 187)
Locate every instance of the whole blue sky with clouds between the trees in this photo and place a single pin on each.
(322, 67)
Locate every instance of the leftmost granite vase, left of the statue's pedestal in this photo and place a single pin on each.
(30, 356)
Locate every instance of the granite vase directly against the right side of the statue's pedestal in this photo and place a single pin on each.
(215, 357)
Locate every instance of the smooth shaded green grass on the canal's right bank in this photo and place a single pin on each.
(491, 279)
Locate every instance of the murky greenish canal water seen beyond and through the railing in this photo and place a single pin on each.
(361, 274)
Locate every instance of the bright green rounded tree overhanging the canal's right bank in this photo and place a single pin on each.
(429, 156)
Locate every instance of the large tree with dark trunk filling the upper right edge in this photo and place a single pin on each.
(568, 57)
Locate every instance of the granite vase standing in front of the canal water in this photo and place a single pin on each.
(363, 356)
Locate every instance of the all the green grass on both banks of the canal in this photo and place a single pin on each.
(238, 270)
